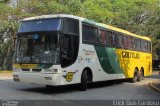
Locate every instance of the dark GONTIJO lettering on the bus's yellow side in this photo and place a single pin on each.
(130, 55)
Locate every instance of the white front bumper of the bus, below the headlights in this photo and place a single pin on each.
(37, 78)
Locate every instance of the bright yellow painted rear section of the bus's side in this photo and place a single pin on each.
(129, 64)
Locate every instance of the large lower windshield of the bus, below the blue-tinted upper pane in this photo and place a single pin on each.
(37, 48)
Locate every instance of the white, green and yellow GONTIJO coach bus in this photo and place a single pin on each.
(63, 49)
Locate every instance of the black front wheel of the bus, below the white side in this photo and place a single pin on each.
(83, 84)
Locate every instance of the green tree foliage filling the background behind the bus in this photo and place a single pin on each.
(138, 16)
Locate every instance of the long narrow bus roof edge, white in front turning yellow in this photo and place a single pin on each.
(88, 21)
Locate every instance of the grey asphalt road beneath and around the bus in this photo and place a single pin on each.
(70, 95)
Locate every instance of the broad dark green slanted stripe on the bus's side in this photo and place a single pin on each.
(108, 59)
